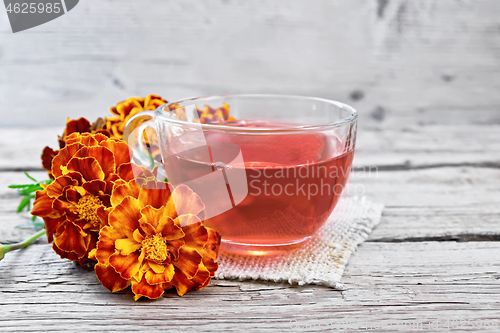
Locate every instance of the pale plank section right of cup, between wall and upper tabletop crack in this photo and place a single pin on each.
(428, 146)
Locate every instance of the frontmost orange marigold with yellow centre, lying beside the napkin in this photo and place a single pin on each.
(156, 240)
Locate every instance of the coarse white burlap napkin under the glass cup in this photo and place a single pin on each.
(320, 260)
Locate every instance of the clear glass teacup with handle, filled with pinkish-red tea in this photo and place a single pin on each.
(269, 168)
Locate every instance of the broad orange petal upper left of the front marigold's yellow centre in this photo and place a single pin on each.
(126, 215)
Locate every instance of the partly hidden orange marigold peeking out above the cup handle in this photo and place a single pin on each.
(125, 110)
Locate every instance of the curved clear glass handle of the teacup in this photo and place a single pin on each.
(133, 134)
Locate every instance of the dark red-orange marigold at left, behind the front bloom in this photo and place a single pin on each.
(73, 207)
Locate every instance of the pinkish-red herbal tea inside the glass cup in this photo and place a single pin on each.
(294, 181)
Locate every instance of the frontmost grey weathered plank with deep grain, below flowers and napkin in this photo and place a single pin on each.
(386, 282)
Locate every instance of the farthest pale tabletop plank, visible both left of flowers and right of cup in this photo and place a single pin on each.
(404, 148)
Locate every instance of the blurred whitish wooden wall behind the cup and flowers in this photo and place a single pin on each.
(391, 59)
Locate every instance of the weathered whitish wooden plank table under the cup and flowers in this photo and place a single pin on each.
(432, 263)
